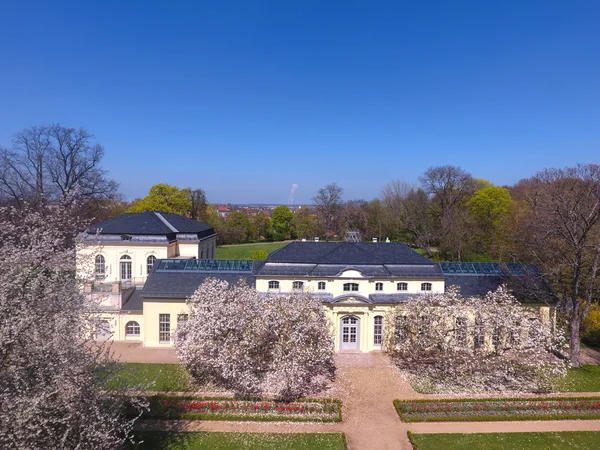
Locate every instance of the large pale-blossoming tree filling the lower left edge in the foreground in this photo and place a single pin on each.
(54, 375)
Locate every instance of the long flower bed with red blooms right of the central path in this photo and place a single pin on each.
(472, 410)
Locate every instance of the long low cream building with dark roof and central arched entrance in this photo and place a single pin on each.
(358, 283)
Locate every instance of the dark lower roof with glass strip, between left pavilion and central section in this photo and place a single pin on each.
(182, 284)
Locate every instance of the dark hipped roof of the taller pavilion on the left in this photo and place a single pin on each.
(151, 223)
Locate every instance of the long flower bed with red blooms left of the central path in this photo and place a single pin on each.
(199, 408)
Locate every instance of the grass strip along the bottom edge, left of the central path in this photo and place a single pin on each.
(170, 440)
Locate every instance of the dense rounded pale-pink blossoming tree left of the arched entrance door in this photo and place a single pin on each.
(255, 345)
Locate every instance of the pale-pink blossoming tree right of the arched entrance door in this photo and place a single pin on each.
(455, 344)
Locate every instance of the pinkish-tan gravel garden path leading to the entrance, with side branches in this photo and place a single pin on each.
(367, 384)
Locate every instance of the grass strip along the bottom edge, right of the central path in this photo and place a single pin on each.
(507, 441)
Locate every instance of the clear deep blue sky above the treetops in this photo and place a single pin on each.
(245, 98)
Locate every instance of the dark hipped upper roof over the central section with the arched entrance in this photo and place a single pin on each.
(347, 253)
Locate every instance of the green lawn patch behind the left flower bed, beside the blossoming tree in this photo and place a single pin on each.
(166, 377)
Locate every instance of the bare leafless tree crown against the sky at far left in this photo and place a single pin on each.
(48, 163)
